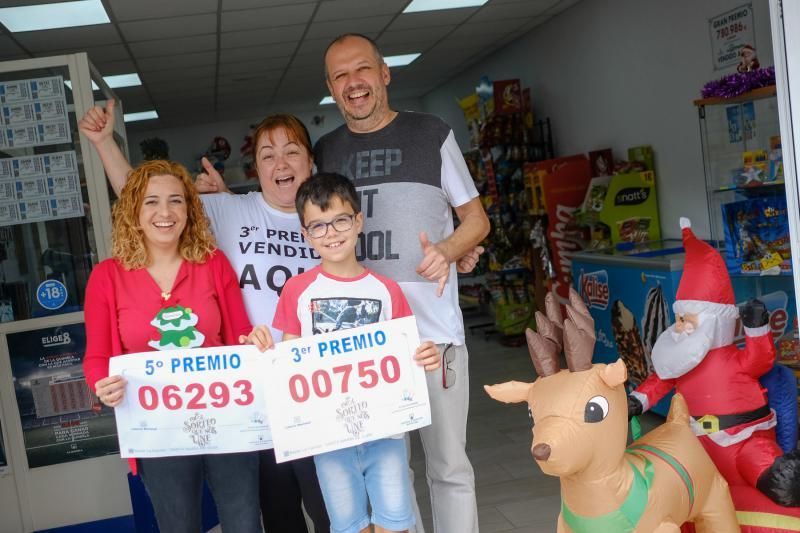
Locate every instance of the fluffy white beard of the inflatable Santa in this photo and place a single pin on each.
(674, 354)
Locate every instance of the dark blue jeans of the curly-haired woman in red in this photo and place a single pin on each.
(175, 487)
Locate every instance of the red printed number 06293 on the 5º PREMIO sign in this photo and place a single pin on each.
(195, 396)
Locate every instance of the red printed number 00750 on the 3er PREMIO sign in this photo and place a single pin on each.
(321, 383)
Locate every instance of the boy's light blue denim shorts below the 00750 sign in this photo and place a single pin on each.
(373, 474)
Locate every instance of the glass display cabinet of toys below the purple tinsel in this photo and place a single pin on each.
(747, 205)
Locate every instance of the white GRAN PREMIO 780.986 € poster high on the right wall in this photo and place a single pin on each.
(729, 32)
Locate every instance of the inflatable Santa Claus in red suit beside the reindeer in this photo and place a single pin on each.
(696, 356)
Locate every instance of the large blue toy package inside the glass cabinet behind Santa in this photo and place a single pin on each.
(757, 236)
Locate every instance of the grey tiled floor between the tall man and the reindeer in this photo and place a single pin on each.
(513, 494)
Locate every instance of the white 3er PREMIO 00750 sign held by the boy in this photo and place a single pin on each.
(341, 389)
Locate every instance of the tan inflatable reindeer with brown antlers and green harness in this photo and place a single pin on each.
(580, 418)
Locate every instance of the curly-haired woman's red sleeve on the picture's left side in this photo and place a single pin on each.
(99, 317)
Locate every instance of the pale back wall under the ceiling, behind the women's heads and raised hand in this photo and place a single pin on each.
(186, 145)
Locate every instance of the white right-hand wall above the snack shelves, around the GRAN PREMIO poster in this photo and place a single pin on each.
(619, 73)
